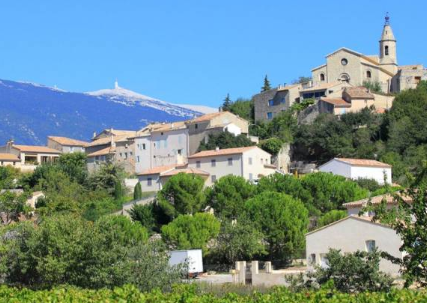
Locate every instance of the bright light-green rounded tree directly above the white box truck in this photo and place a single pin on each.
(191, 232)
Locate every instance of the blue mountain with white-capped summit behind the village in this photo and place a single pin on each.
(30, 112)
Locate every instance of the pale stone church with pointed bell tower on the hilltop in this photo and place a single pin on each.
(348, 66)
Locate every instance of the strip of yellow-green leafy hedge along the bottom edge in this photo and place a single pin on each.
(189, 294)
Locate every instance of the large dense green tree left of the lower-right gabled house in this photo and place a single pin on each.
(283, 221)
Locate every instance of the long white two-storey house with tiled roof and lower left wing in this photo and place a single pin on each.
(250, 163)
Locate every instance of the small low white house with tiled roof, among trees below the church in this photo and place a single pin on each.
(358, 169)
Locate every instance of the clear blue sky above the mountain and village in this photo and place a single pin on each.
(193, 51)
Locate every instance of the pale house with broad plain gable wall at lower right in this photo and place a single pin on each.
(349, 235)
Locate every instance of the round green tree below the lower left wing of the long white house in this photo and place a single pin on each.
(182, 194)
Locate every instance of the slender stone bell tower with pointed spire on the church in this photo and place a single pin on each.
(388, 58)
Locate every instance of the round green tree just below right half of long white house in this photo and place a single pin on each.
(228, 196)
